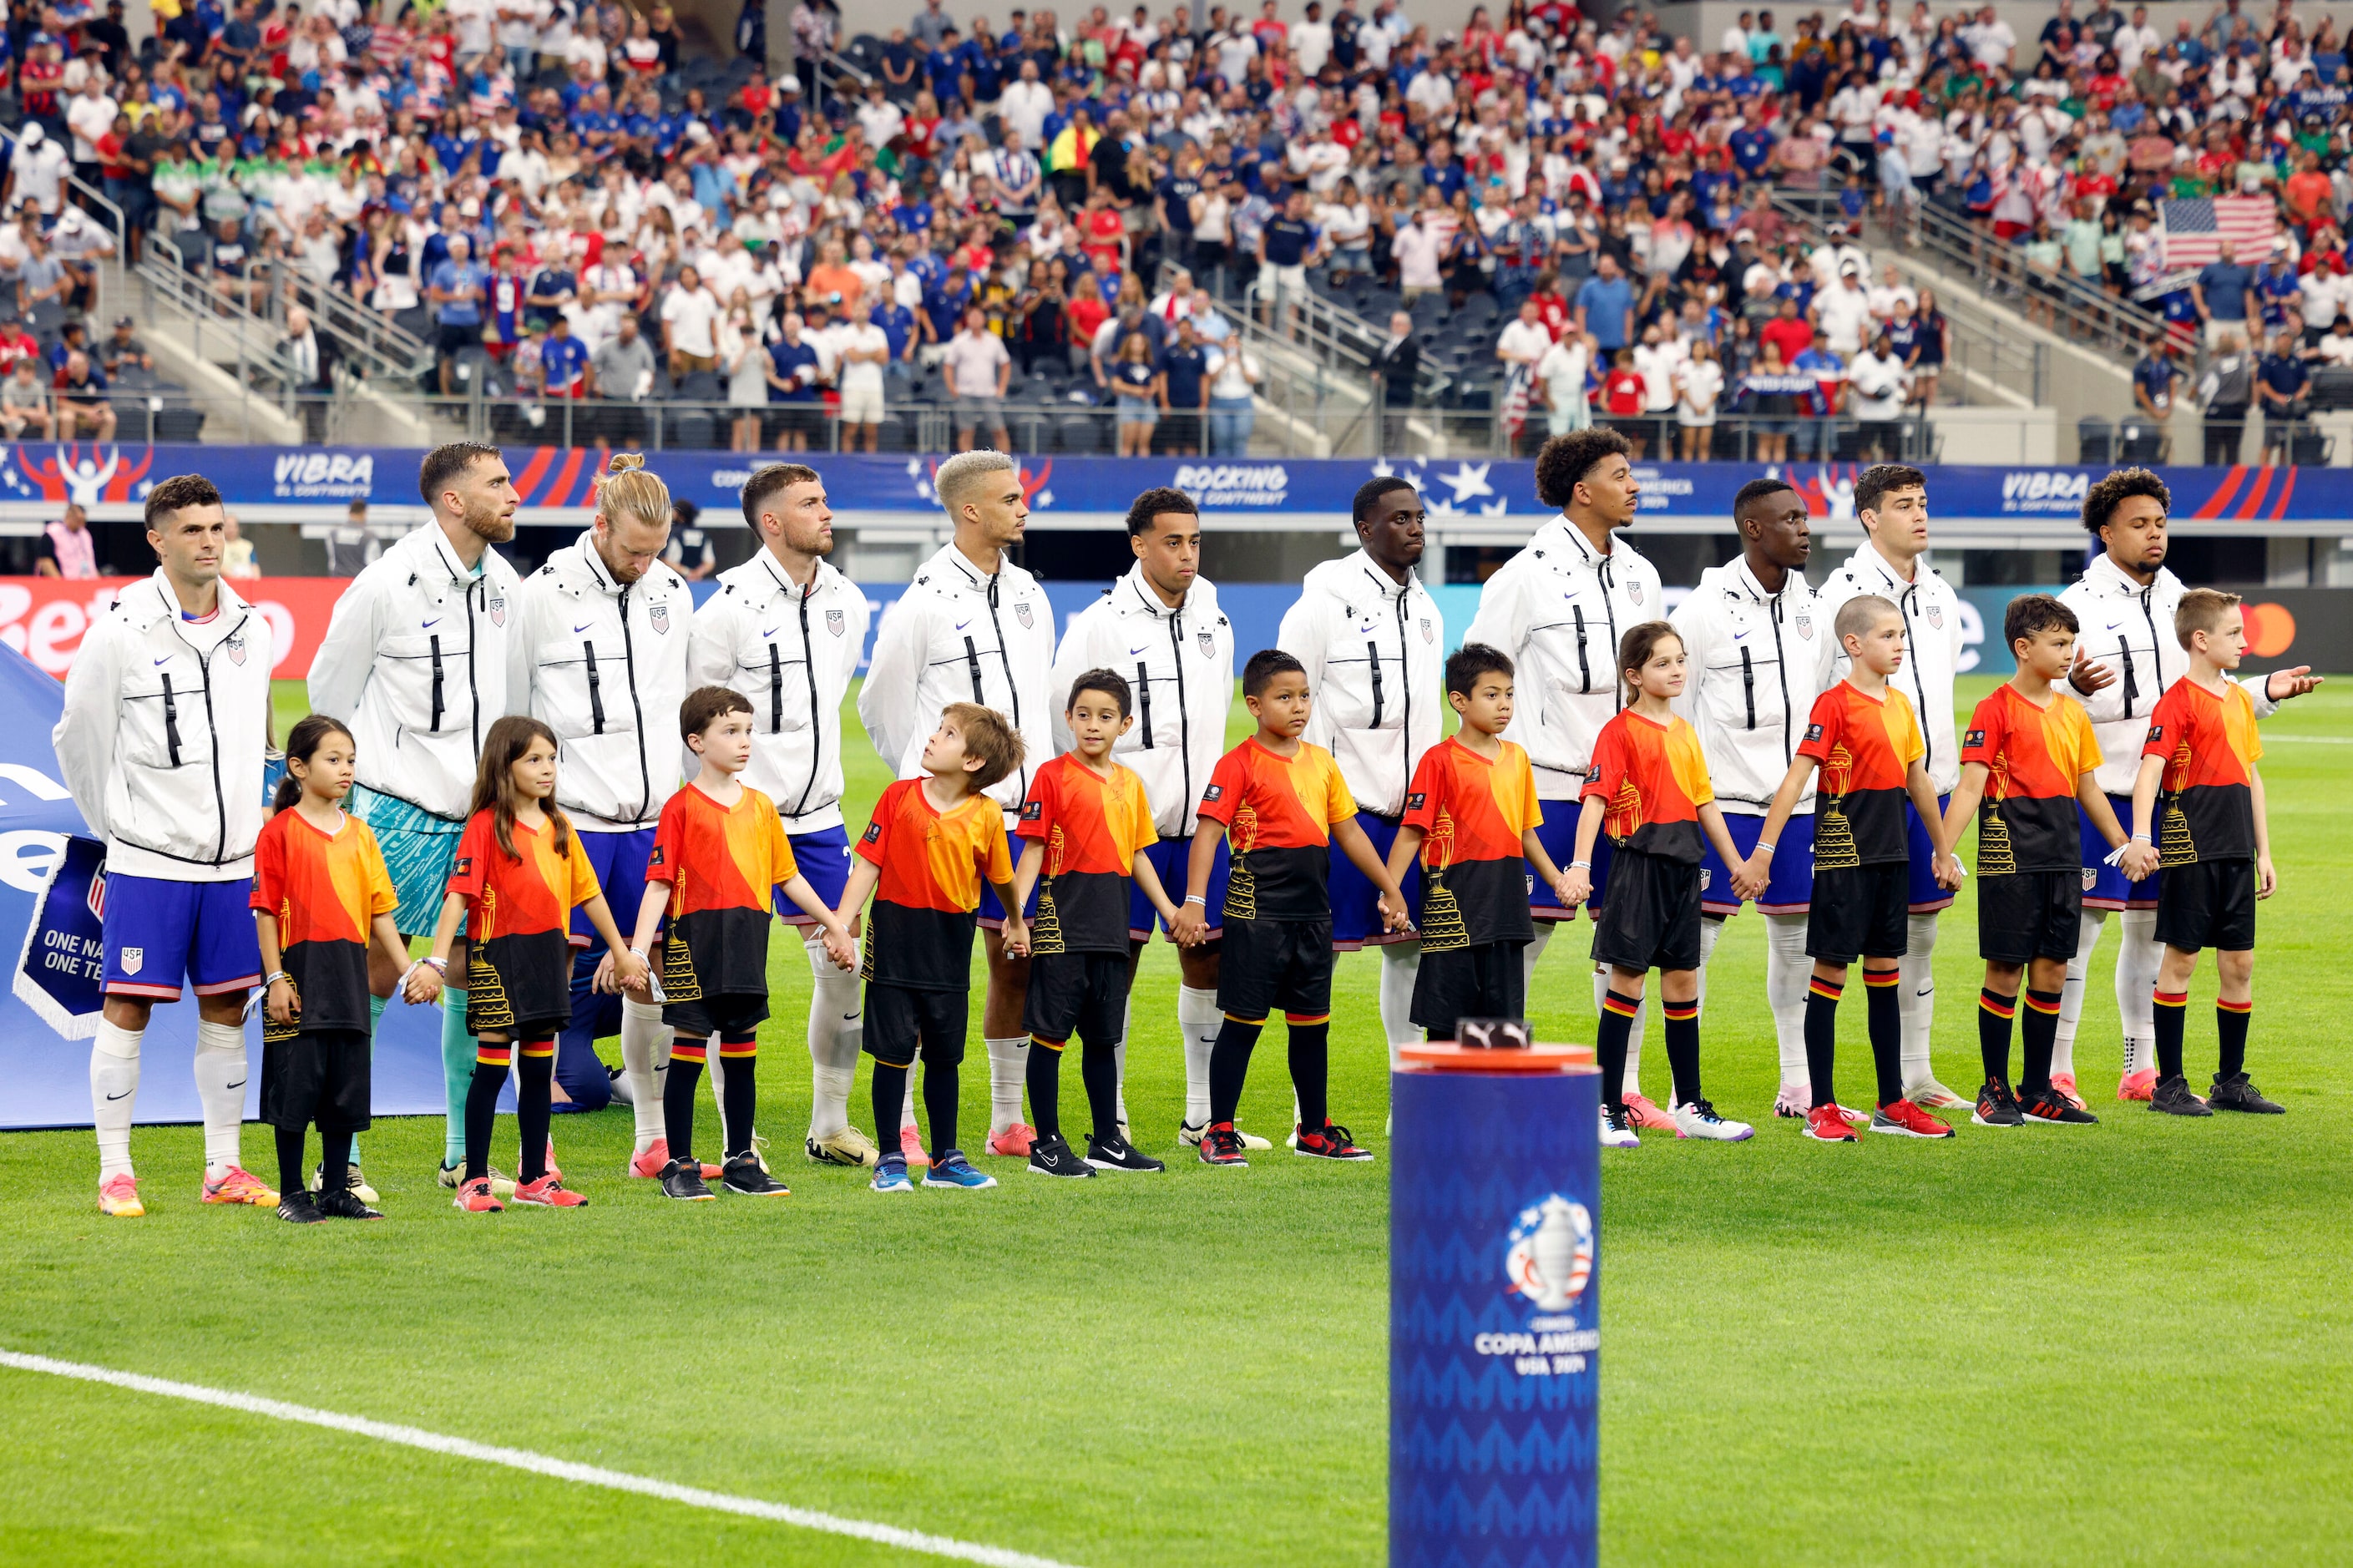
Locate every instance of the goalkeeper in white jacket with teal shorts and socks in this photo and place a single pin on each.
(415, 663)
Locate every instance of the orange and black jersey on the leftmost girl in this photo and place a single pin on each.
(326, 891)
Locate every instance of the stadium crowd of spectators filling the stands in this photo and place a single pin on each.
(980, 211)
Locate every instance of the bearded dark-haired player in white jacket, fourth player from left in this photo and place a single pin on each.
(787, 632)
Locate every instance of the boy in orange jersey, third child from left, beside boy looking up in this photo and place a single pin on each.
(719, 853)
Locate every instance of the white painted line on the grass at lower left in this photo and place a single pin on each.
(538, 1463)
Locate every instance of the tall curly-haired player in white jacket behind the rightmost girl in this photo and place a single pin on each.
(1559, 611)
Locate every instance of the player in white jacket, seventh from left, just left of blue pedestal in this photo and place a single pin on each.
(1375, 656)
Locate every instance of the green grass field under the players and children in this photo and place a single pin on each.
(2121, 1346)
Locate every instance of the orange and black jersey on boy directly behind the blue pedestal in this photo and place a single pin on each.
(1474, 813)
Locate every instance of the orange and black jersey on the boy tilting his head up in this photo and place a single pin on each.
(928, 901)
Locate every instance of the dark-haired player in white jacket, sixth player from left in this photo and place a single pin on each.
(1164, 632)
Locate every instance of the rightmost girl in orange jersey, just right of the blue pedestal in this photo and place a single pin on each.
(1651, 792)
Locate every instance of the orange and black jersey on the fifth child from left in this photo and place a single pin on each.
(1093, 830)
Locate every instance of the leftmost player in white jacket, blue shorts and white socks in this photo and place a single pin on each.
(161, 745)
